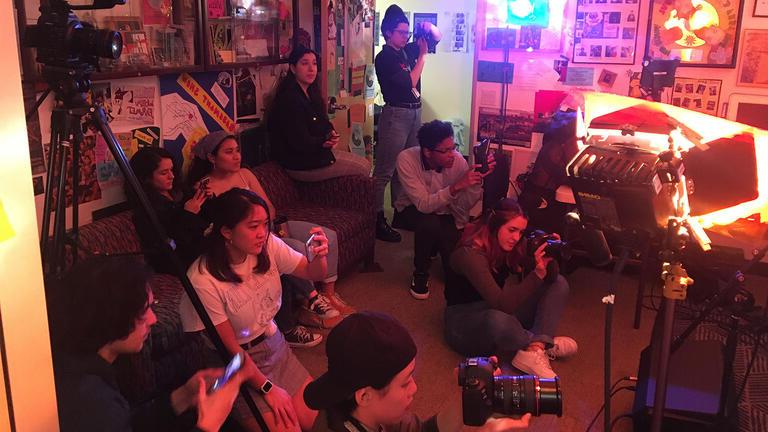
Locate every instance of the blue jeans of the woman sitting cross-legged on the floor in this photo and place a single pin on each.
(475, 329)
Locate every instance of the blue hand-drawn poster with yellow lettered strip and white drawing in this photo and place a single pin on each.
(191, 110)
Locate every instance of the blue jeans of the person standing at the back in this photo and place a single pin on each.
(397, 131)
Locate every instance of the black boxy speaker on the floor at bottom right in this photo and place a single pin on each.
(693, 387)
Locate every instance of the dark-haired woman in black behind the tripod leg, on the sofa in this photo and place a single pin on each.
(181, 219)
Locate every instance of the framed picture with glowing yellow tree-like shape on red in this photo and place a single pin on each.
(704, 34)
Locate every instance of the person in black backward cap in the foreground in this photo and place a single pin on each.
(369, 385)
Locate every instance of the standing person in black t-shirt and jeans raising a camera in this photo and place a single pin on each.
(398, 68)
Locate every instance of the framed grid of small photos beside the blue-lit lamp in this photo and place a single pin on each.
(606, 32)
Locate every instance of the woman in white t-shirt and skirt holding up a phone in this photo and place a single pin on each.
(238, 281)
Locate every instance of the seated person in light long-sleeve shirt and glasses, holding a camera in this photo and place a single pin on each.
(439, 189)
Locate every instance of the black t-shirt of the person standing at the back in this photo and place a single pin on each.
(393, 70)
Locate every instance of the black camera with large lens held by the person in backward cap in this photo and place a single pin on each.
(484, 394)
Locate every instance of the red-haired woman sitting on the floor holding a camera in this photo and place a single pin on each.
(484, 317)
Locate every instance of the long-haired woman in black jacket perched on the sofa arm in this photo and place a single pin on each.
(302, 137)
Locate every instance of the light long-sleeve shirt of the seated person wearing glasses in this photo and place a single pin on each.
(429, 190)
